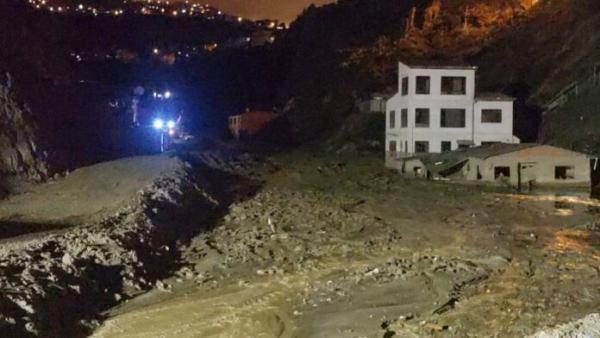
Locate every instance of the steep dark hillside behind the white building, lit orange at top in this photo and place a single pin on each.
(350, 49)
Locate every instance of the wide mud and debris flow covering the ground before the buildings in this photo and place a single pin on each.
(339, 247)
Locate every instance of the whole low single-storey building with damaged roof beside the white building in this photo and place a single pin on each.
(518, 165)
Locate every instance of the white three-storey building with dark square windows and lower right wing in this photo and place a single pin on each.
(436, 110)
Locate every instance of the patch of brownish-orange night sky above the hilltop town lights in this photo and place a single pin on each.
(284, 10)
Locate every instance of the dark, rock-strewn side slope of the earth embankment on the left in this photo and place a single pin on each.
(50, 281)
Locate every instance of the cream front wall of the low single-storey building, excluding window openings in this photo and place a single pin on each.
(545, 158)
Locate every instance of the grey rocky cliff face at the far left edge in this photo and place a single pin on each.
(19, 155)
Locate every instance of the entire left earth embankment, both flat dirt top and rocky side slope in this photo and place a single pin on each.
(122, 240)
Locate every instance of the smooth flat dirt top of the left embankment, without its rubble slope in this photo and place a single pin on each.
(85, 196)
